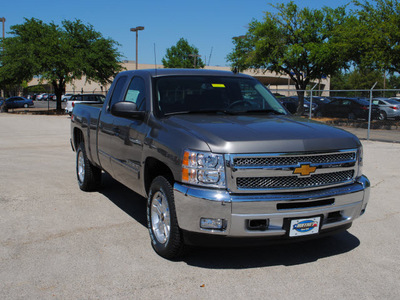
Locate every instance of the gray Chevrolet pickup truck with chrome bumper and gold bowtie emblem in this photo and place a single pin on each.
(219, 159)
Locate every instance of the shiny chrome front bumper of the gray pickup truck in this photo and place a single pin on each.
(337, 206)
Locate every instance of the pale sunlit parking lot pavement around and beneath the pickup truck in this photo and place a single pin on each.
(57, 242)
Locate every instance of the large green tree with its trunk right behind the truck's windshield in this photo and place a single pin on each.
(302, 43)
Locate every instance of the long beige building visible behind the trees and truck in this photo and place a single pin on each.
(277, 83)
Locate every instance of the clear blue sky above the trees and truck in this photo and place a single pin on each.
(209, 25)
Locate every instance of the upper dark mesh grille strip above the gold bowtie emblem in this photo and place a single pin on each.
(293, 160)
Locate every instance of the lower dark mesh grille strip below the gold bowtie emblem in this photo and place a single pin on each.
(291, 182)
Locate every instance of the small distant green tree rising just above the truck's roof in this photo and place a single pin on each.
(182, 55)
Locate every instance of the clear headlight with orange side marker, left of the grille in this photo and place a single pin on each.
(203, 168)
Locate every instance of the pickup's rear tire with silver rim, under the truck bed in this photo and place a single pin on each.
(89, 176)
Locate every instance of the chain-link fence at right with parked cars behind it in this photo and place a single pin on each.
(372, 114)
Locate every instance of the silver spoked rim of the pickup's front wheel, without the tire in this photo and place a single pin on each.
(160, 217)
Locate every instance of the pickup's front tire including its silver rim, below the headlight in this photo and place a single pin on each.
(165, 234)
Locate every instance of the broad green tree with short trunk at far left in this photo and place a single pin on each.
(58, 54)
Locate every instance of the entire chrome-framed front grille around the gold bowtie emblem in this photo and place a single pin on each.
(257, 173)
